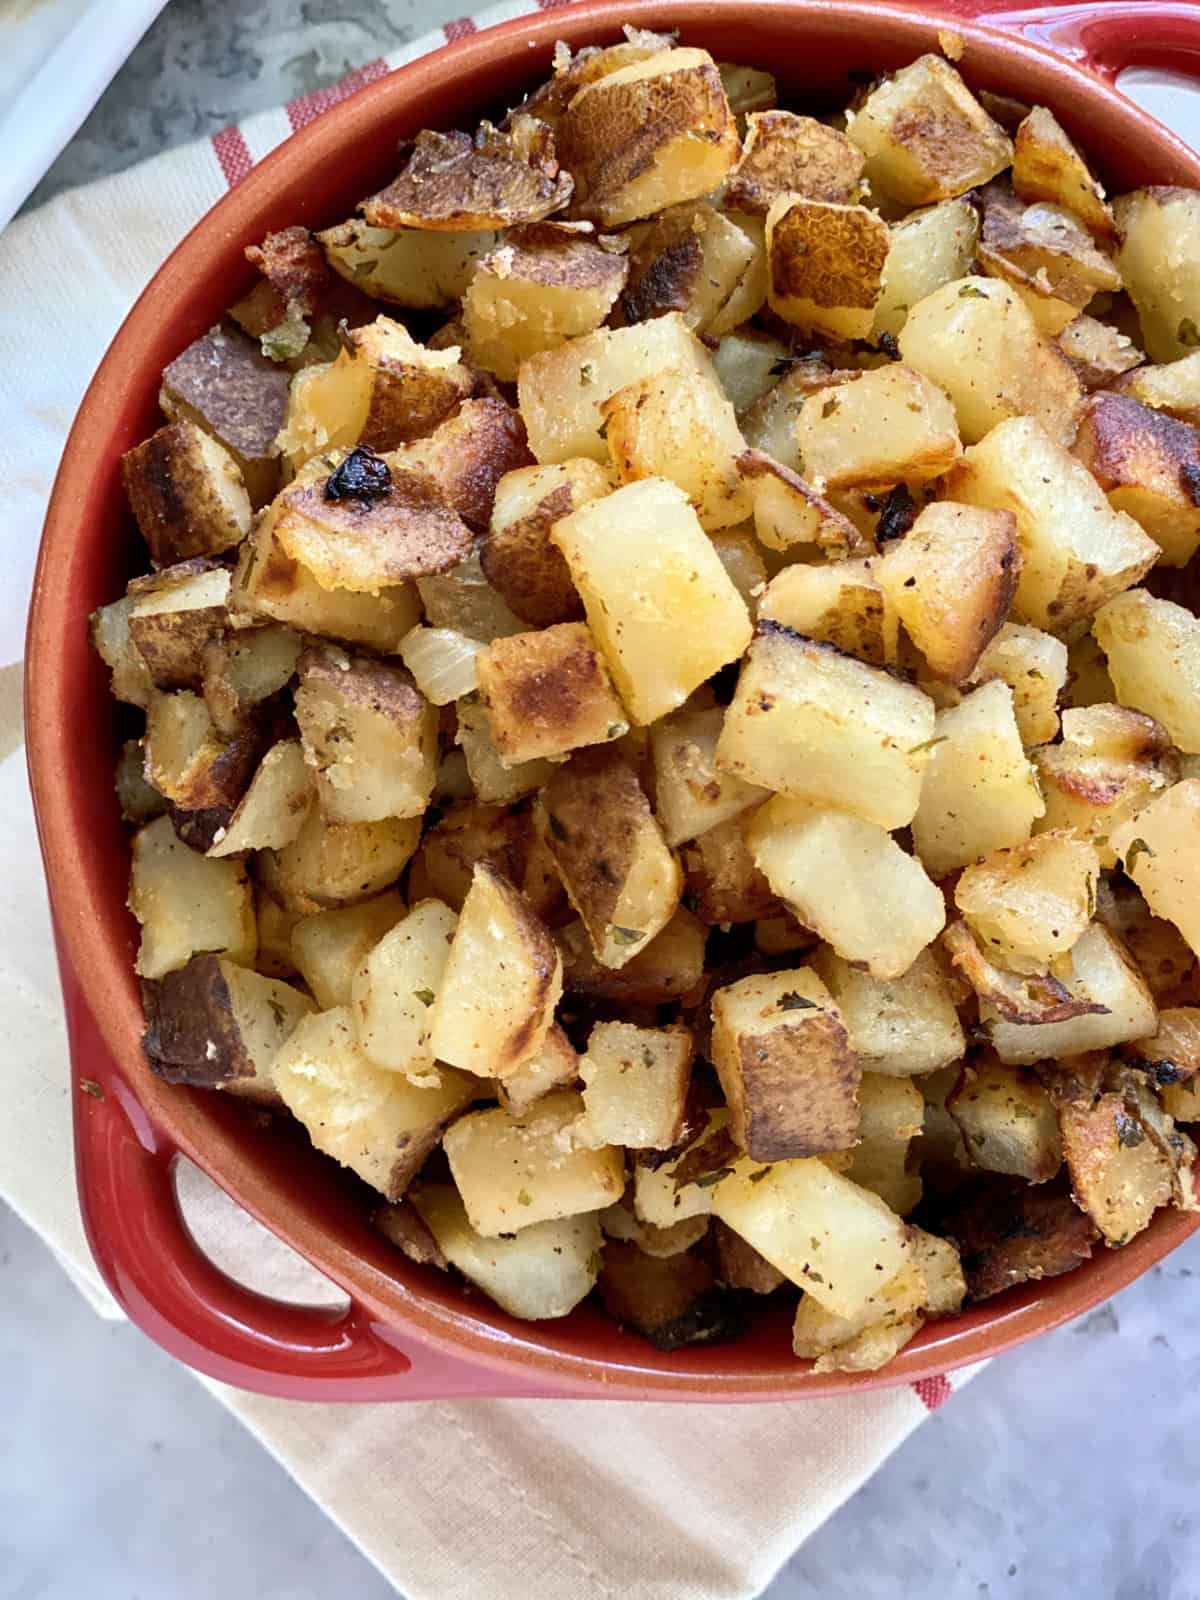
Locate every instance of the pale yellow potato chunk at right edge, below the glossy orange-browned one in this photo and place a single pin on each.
(1154, 662)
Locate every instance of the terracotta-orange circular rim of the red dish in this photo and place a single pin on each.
(82, 913)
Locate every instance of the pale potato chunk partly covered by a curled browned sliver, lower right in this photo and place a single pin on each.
(1100, 974)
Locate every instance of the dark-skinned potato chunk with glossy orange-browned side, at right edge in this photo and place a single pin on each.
(1150, 466)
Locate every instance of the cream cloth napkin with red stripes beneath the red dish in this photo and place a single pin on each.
(503, 1498)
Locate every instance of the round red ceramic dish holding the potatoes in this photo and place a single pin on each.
(410, 1332)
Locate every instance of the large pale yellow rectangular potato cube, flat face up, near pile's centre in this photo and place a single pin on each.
(658, 599)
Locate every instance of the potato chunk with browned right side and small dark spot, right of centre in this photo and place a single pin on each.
(953, 580)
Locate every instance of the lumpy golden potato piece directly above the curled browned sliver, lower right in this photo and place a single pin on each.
(1030, 905)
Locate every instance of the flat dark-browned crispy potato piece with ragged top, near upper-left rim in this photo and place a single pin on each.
(452, 183)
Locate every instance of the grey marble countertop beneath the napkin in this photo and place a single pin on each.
(1068, 1468)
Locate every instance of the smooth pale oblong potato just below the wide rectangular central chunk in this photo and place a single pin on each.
(850, 882)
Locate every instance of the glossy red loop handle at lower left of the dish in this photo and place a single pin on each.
(185, 1303)
